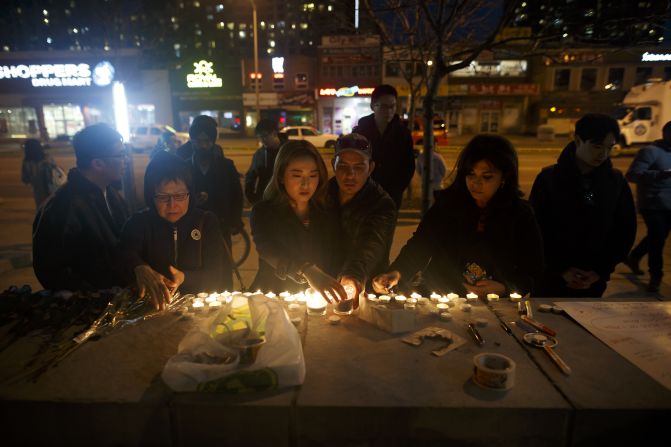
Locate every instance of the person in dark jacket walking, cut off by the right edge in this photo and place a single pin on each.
(651, 171)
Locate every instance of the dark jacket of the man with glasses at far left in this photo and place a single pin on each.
(75, 237)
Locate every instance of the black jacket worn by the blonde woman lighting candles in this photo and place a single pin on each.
(284, 245)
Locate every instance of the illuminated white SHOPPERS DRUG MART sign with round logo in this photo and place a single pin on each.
(61, 75)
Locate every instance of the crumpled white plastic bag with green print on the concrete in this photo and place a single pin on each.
(207, 361)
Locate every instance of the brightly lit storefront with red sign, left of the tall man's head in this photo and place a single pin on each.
(341, 108)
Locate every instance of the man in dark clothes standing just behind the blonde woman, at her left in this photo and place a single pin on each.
(263, 160)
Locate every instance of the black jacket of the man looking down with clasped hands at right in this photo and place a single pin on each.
(587, 221)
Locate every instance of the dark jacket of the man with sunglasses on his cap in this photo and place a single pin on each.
(367, 225)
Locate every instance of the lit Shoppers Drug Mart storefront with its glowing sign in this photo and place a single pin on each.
(54, 94)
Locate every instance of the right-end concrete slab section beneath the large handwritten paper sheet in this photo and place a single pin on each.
(614, 401)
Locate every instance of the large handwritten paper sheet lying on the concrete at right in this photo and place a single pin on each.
(640, 332)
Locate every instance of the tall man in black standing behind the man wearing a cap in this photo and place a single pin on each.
(391, 142)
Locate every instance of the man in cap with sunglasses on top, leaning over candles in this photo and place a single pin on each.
(366, 212)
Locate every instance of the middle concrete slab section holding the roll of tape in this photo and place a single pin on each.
(365, 386)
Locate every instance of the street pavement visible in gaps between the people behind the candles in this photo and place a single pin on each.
(18, 209)
